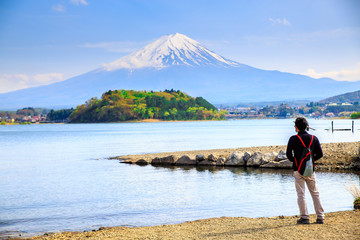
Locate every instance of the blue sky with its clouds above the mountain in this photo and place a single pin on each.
(45, 41)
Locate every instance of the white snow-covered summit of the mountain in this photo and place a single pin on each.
(174, 49)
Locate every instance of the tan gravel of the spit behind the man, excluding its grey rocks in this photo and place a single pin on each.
(337, 156)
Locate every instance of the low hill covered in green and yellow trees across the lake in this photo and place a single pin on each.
(125, 105)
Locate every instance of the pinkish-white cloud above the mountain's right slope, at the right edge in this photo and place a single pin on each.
(342, 75)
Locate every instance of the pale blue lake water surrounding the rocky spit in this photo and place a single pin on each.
(57, 177)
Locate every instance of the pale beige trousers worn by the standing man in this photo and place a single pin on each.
(314, 191)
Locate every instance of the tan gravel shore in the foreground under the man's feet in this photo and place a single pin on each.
(338, 225)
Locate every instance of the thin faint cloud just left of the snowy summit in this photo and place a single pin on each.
(120, 47)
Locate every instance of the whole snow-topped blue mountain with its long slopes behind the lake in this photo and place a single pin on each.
(179, 62)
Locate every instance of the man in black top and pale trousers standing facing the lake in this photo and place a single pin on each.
(294, 152)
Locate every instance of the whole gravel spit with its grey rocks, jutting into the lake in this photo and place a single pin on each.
(337, 156)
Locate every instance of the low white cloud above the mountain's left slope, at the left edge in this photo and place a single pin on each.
(12, 82)
